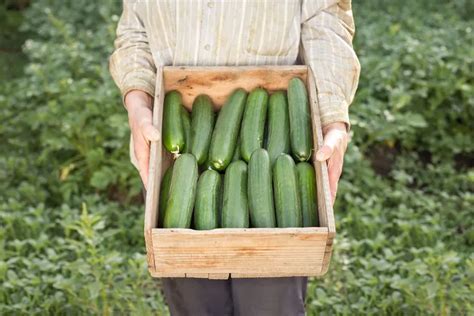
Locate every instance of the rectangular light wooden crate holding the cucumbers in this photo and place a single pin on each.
(239, 253)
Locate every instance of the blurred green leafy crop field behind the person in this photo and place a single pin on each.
(71, 212)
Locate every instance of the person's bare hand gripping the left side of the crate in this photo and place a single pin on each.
(139, 106)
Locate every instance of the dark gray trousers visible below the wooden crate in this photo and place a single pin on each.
(238, 297)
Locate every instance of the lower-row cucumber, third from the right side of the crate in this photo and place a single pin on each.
(260, 191)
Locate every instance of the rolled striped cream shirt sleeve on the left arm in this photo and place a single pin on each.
(131, 64)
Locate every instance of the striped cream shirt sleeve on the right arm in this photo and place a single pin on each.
(326, 36)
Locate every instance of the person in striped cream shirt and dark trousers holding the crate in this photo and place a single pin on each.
(153, 34)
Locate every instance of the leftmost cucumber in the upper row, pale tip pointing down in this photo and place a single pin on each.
(173, 131)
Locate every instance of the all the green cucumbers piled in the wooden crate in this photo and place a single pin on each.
(246, 156)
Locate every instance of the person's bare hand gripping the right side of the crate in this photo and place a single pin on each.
(333, 149)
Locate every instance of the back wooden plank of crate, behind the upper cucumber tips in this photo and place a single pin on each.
(219, 82)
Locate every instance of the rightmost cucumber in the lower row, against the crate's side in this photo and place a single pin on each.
(307, 187)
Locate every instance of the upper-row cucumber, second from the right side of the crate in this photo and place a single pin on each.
(278, 127)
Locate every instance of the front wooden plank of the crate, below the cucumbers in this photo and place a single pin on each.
(256, 251)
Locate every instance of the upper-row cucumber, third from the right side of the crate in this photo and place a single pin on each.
(253, 123)
